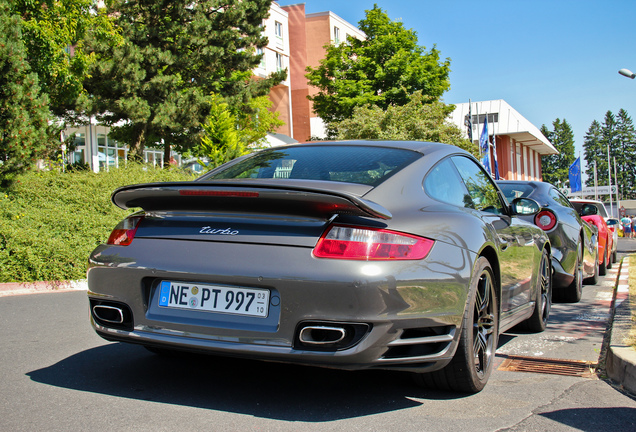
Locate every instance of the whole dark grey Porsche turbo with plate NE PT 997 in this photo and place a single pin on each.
(353, 255)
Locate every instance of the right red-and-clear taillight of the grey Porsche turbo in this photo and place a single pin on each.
(353, 243)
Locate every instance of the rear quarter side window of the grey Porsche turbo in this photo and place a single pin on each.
(443, 183)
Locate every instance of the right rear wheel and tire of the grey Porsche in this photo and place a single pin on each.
(470, 368)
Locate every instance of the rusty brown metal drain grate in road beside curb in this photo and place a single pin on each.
(576, 368)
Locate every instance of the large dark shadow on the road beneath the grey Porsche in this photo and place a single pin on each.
(267, 390)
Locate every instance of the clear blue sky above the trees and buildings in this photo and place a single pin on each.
(548, 59)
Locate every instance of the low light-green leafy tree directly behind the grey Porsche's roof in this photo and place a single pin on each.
(416, 120)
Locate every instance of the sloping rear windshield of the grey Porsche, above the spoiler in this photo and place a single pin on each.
(350, 164)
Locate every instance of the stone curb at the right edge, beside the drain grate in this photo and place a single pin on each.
(621, 358)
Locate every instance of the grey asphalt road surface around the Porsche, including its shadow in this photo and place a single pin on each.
(56, 374)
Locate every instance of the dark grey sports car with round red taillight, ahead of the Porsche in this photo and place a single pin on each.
(574, 242)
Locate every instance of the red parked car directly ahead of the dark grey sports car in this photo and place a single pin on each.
(594, 213)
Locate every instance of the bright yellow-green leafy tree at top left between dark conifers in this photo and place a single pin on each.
(53, 33)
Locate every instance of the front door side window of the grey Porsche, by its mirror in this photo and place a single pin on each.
(481, 188)
